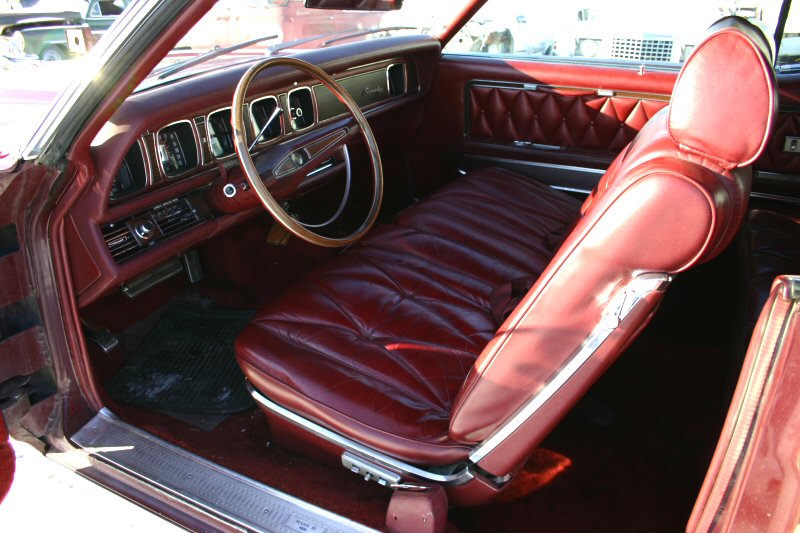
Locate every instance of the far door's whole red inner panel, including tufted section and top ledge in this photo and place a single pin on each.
(525, 114)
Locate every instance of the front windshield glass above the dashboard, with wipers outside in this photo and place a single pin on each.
(275, 27)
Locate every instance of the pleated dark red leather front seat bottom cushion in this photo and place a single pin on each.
(377, 343)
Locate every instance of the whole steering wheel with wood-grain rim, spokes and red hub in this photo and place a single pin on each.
(287, 164)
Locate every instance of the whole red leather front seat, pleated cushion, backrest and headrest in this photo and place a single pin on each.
(394, 345)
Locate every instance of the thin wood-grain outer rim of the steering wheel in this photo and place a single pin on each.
(254, 178)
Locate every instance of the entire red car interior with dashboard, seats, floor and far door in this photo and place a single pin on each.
(385, 274)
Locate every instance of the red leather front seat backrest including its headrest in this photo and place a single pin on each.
(673, 198)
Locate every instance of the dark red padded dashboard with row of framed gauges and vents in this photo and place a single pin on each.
(162, 160)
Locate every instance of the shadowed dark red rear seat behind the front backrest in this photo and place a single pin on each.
(774, 249)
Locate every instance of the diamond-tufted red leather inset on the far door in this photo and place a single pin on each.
(557, 118)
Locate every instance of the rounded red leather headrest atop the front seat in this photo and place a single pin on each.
(725, 98)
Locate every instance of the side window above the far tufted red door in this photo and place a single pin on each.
(608, 30)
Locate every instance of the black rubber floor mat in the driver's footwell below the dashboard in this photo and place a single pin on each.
(186, 364)
